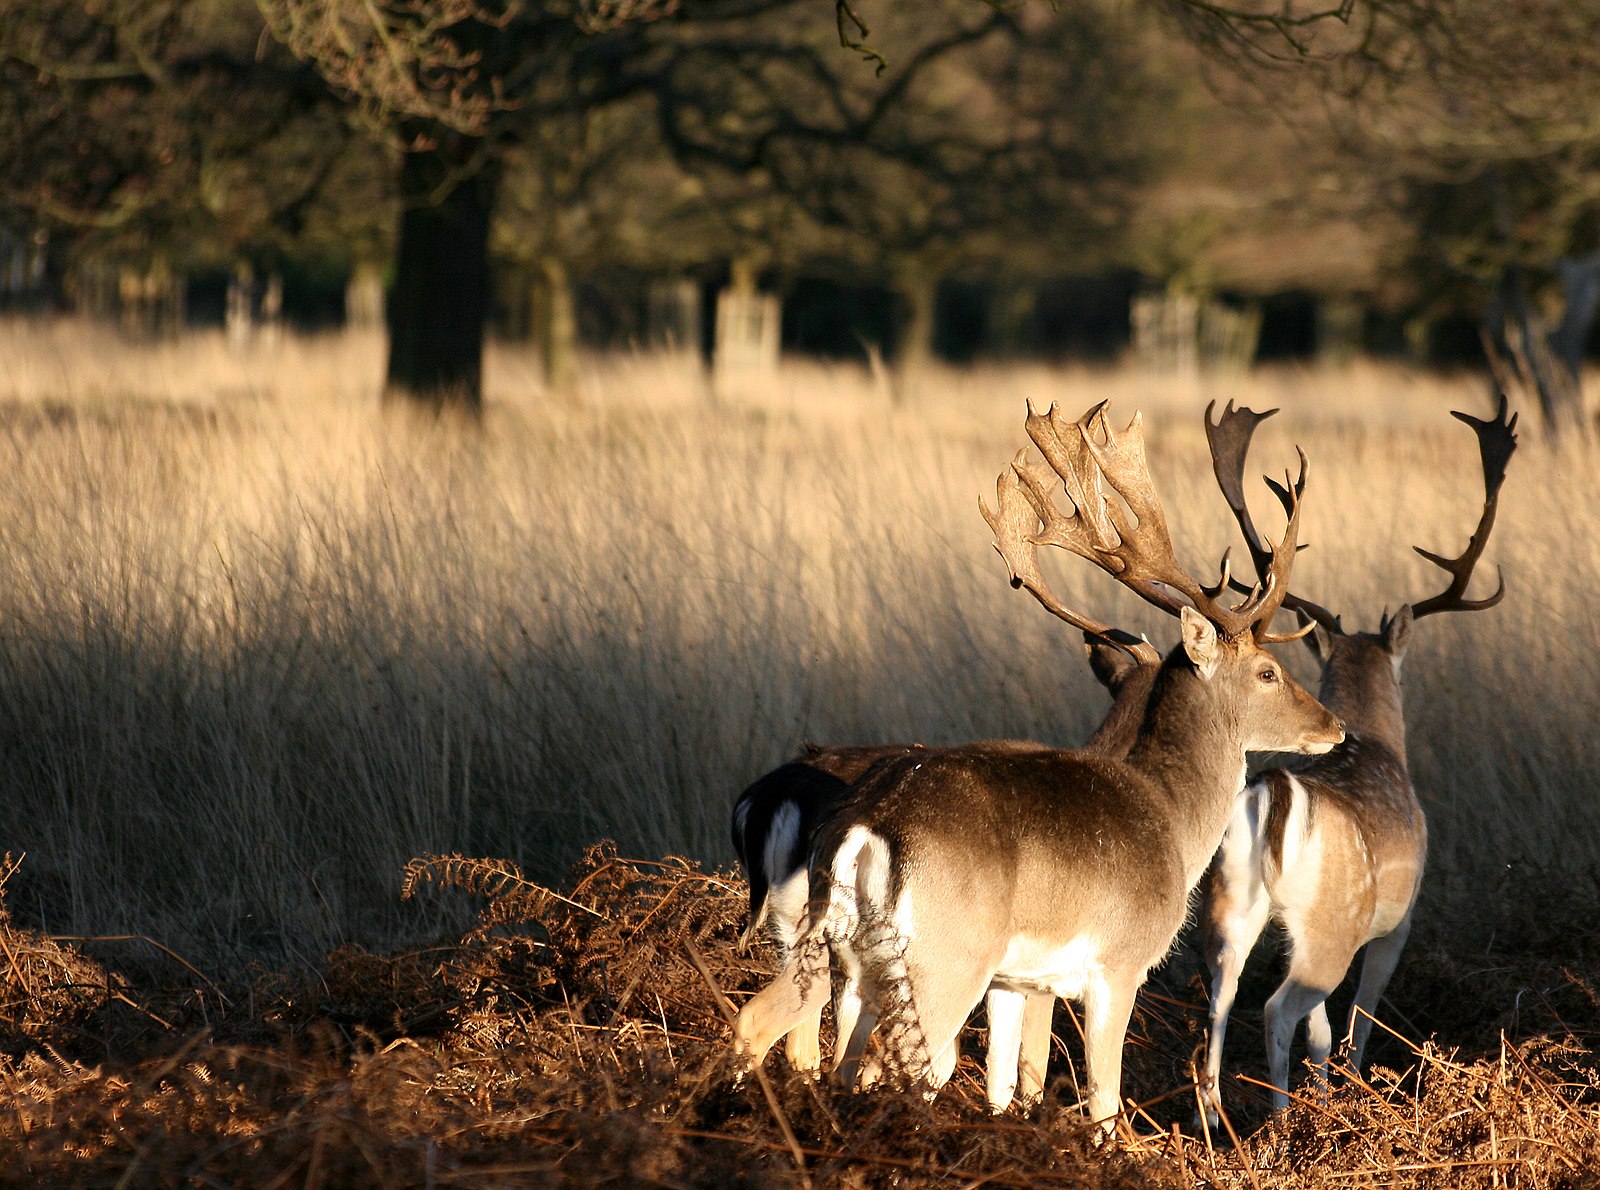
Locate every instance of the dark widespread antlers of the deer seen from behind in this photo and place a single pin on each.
(1230, 441)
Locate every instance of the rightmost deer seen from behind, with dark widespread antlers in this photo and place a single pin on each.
(1332, 849)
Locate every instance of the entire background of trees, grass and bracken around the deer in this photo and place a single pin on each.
(444, 437)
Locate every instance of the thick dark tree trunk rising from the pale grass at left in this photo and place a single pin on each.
(439, 305)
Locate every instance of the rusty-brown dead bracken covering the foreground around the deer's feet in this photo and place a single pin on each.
(577, 1036)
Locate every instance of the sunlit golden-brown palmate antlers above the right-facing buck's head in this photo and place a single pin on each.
(1124, 535)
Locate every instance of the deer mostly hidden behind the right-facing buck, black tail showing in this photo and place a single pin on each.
(777, 817)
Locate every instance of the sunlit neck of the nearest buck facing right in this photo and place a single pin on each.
(1194, 753)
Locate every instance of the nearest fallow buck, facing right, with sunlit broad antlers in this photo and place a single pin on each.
(1052, 873)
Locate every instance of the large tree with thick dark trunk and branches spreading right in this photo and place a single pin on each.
(751, 87)
